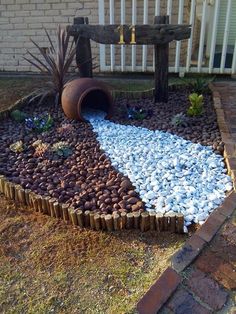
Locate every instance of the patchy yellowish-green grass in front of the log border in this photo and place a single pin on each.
(47, 266)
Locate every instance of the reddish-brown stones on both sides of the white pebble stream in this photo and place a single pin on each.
(86, 179)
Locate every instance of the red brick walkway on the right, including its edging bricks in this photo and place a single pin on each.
(202, 278)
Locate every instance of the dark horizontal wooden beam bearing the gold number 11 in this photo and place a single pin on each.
(143, 34)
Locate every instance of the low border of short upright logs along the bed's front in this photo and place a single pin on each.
(143, 221)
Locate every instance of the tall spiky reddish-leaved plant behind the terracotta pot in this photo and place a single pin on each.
(56, 62)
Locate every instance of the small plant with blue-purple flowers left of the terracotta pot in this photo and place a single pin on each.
(39, 124)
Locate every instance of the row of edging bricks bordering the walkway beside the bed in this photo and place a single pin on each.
(166, 285)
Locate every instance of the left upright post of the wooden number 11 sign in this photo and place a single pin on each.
(83, 51)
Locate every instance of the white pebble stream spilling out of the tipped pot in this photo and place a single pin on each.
(170, 173)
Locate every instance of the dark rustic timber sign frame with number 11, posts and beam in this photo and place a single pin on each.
(160, 34)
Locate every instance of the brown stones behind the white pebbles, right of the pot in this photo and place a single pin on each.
(202, 129)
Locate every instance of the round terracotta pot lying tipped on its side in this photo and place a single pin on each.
(86, 92)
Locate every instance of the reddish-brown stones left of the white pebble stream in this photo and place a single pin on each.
(85, 179)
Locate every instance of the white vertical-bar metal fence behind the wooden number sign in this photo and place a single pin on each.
(207, 10)
